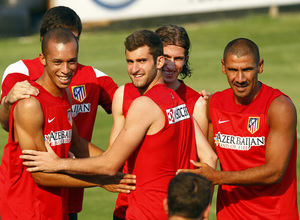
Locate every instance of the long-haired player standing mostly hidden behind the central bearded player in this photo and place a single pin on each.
(176, 52)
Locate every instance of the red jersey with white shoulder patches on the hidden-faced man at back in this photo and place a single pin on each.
(89, 88)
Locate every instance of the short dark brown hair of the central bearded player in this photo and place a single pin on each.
(145, 38)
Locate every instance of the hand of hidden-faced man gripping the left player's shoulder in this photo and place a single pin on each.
(20, 90)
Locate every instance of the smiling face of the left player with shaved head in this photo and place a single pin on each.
(60, 63)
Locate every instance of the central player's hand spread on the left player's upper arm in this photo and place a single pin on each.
(41, 161)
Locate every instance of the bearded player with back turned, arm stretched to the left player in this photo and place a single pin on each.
(158, 135)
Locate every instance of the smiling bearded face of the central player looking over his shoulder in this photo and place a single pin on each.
(142, 69)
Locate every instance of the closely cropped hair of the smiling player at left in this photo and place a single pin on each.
(59, 35)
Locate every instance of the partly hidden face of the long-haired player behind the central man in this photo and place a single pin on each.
(174, 62)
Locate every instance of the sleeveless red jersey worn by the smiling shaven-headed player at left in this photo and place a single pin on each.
(21, 197)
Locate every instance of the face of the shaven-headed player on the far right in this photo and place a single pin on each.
(242, 75)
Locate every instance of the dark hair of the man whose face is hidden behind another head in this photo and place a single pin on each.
(60, 16)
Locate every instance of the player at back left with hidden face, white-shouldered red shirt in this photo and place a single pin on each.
(89, 88)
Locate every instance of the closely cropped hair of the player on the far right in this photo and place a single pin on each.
(242, 47)
